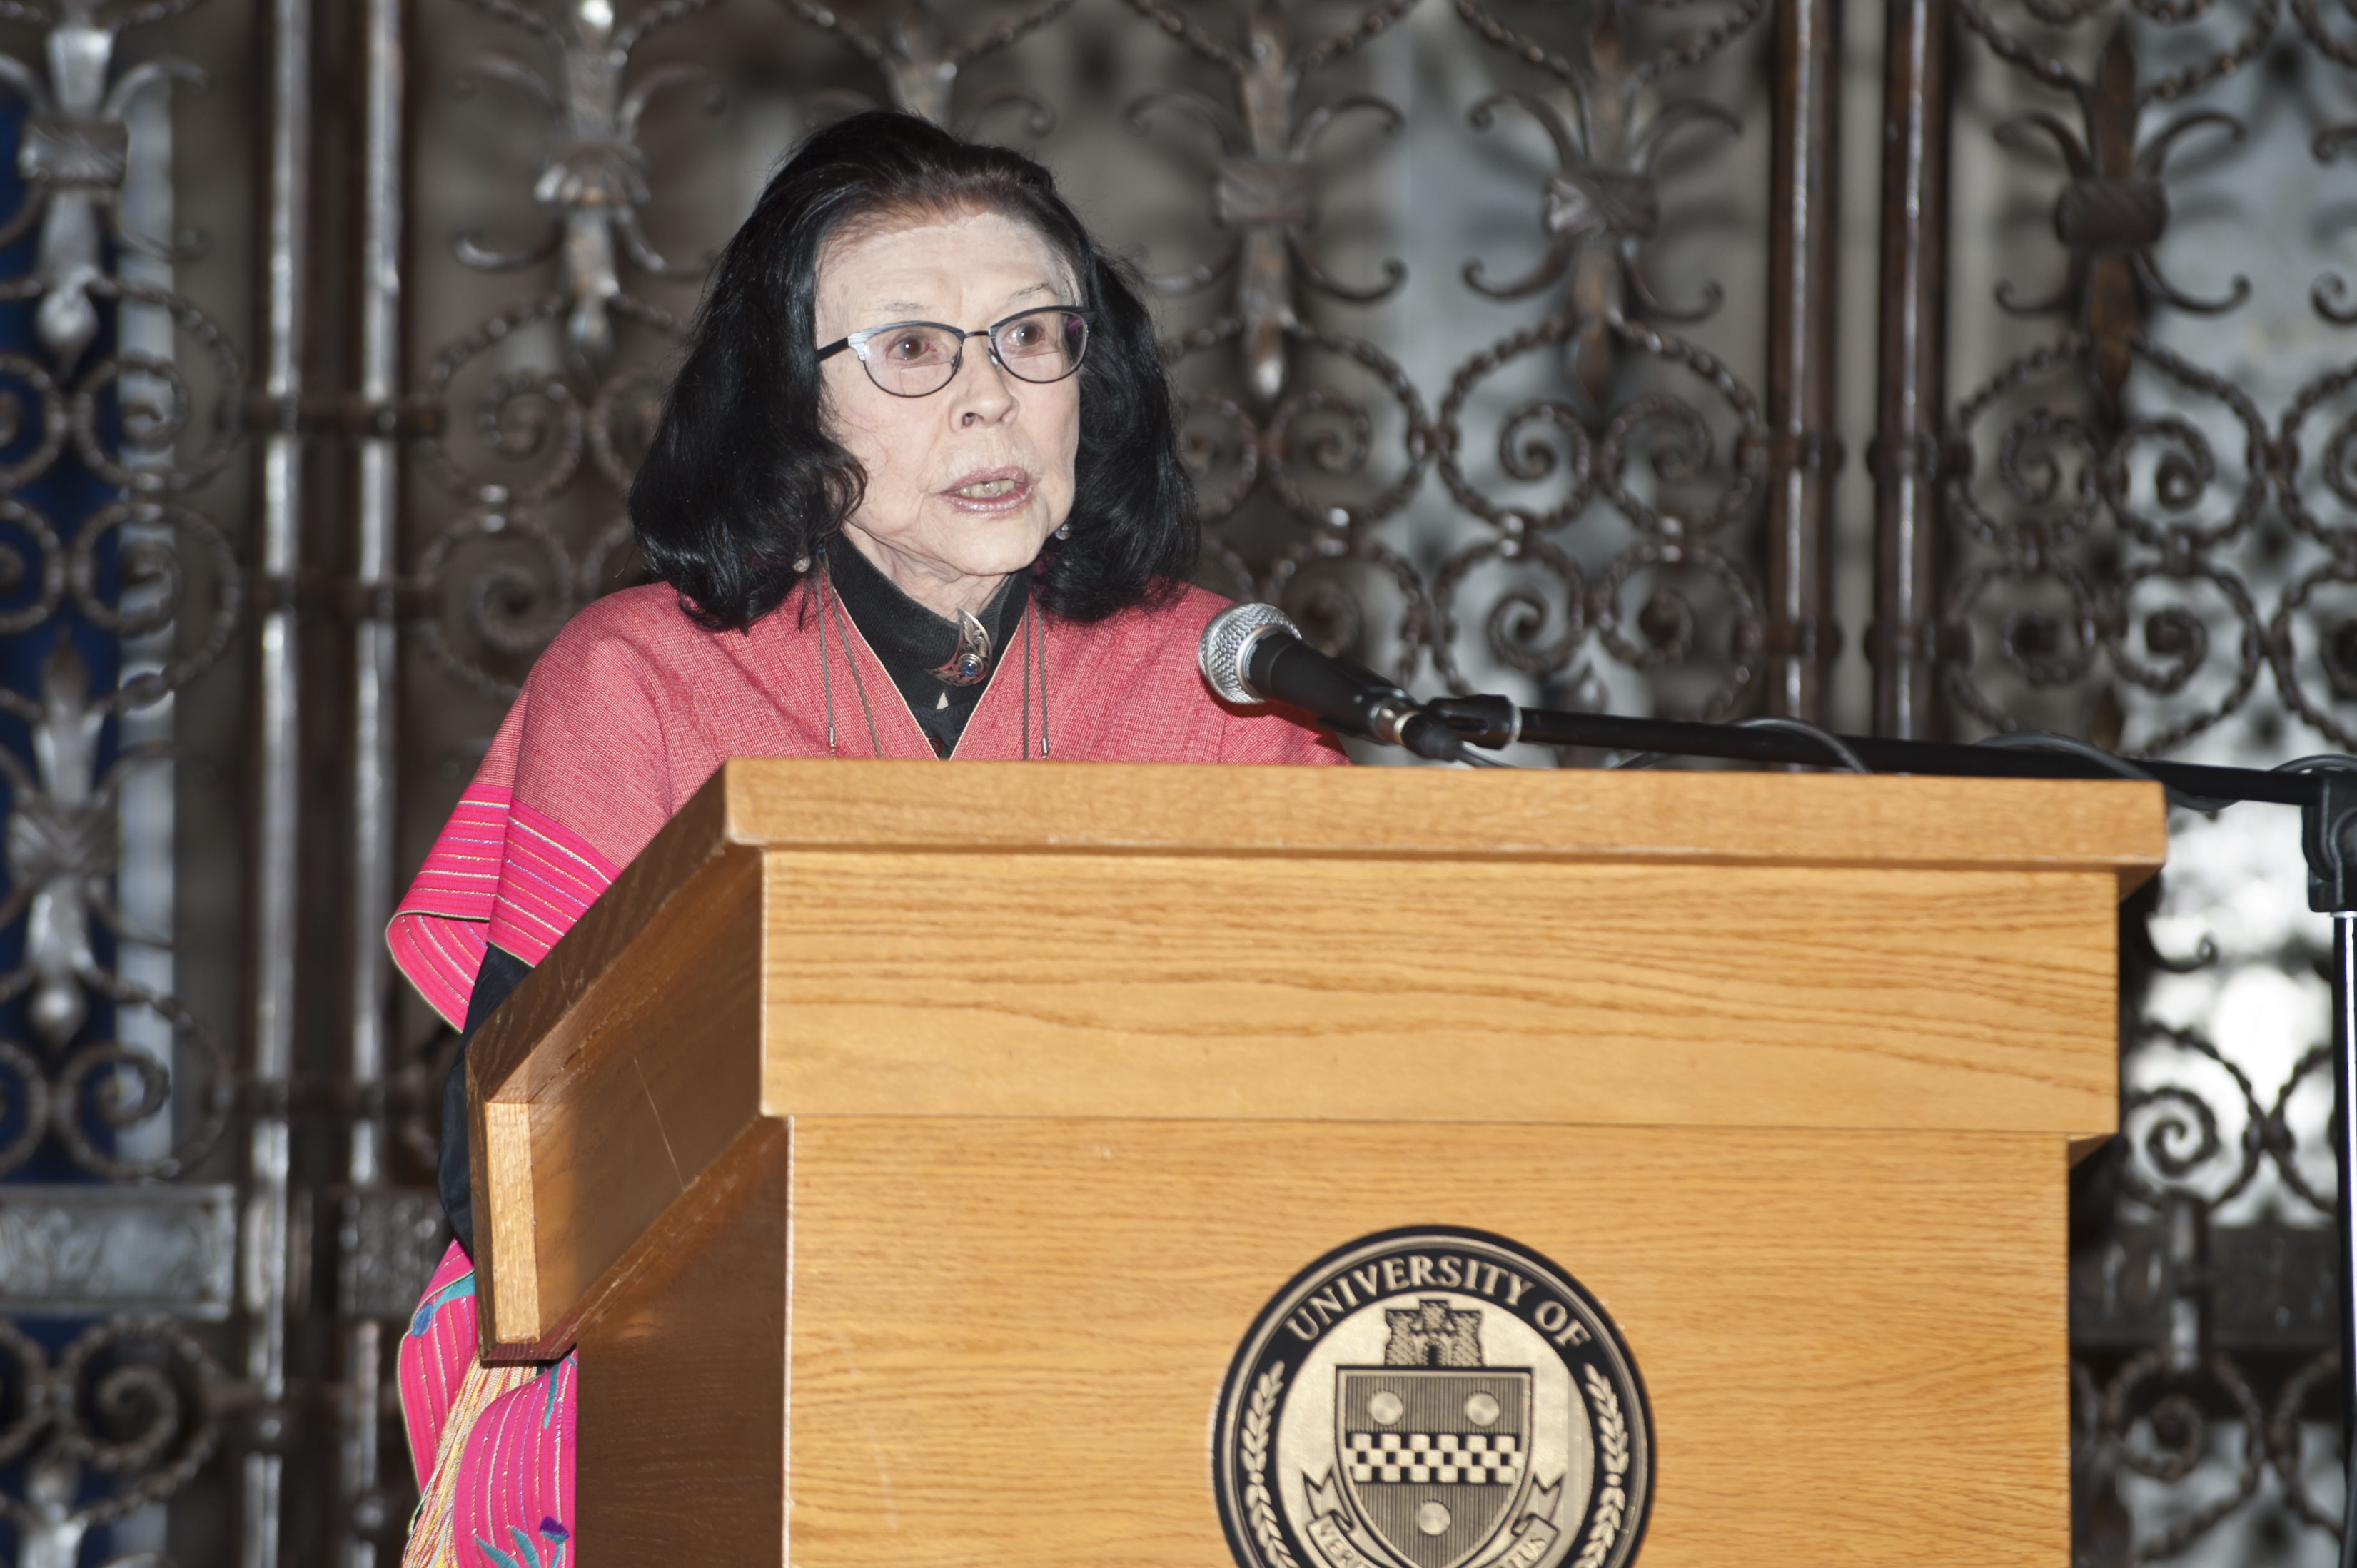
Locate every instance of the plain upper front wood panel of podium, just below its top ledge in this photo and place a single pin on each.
(1208, 987)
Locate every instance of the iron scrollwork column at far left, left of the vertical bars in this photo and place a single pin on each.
(128, 1411)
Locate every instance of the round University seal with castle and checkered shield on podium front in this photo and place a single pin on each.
(1434, 1399)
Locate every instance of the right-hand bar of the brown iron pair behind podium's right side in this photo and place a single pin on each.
(1913, 374)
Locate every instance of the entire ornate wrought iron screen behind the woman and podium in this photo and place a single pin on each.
(1924, 367)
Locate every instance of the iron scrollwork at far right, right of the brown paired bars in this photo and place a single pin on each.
(2120, 513)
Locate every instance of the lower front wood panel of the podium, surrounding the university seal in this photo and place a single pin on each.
(1008, 1338)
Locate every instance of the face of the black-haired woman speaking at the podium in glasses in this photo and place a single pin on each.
(970, 482)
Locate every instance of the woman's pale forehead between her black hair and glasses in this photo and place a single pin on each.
(927, 265)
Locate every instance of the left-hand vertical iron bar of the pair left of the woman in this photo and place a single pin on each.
(277, 772)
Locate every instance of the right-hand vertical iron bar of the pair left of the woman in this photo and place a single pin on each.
(376, 723)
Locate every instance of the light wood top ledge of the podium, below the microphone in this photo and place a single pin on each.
(1569, 815)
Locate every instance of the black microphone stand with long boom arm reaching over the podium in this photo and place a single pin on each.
(2325, 791)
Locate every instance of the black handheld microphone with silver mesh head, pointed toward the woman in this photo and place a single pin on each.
(1255, 654)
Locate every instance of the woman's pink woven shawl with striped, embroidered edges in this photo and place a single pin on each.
(621, 720)
